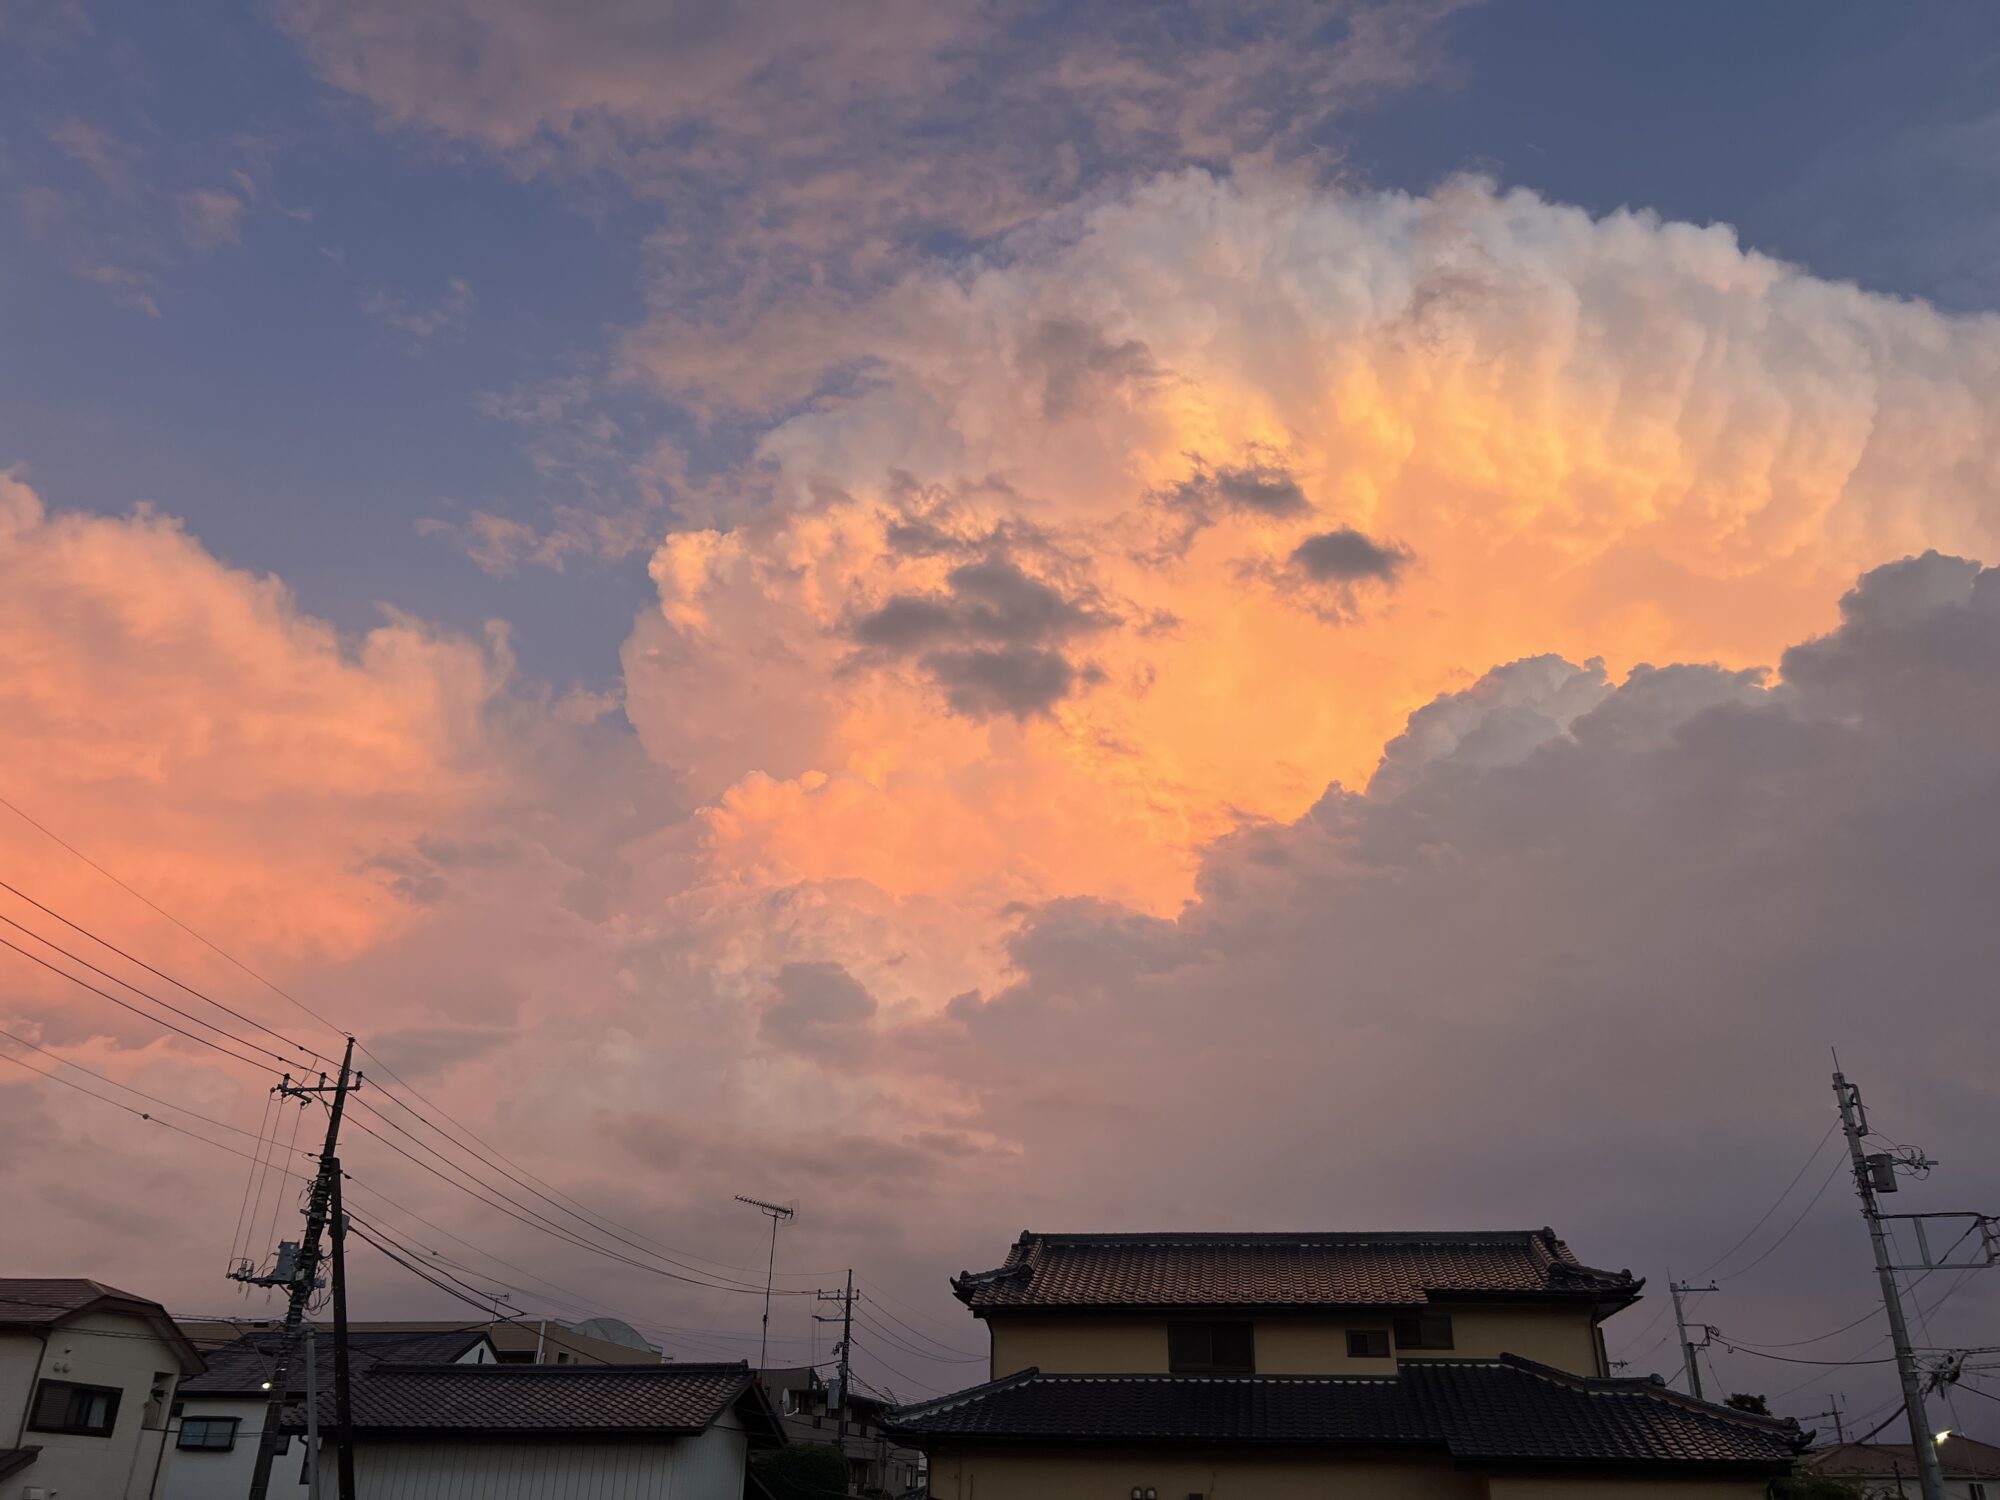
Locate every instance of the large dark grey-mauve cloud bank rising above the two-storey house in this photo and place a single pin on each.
(1585, 947)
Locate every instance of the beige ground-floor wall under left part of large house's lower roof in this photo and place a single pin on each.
(985, 1475)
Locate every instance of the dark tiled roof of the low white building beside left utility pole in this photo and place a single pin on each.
(663, 1401)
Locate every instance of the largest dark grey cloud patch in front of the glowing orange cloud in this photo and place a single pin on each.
(993, 639)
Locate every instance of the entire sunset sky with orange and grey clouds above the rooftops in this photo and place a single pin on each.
(1003, 617)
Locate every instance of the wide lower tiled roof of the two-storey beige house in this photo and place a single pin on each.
(1487, 1411)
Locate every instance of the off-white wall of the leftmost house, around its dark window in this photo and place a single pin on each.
(95, 1351)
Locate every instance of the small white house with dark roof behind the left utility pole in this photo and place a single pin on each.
(219, 1415)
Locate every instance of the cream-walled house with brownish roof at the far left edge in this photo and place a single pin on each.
(87, 1383)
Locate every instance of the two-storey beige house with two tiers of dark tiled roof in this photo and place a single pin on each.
(1265, 1367)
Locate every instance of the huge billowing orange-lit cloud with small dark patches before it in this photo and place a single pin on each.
(1295, 463)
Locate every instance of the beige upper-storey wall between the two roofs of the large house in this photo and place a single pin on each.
(1559, 1335)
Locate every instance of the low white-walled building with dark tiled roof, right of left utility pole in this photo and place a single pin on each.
(529, 1431)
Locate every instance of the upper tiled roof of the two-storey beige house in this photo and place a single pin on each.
(1161, 1271)
